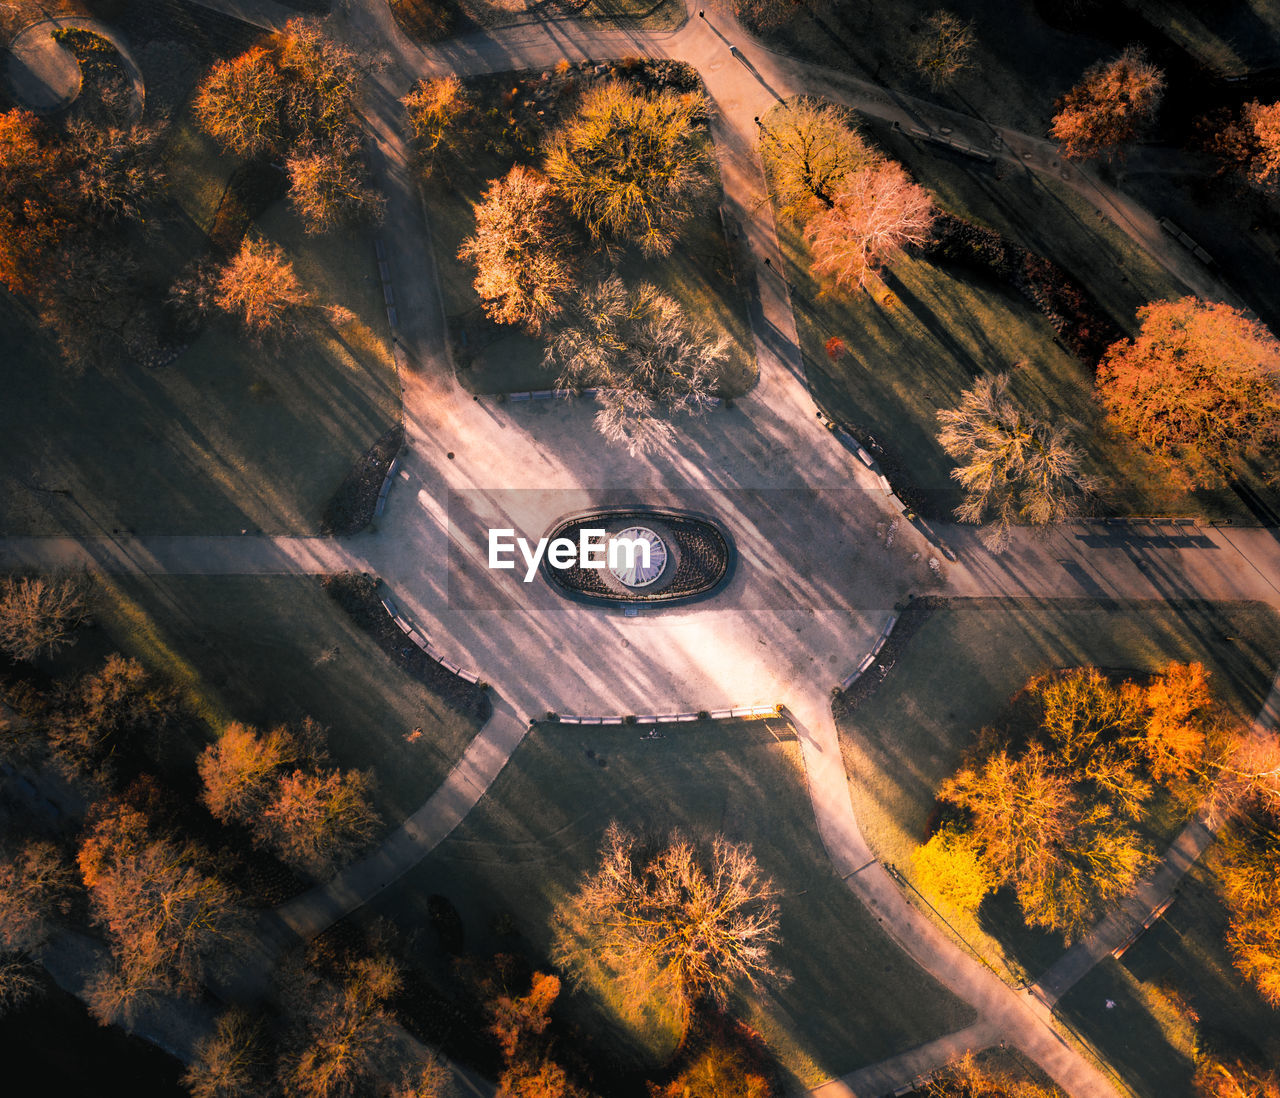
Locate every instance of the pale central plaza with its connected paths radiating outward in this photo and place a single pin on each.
(813, 585)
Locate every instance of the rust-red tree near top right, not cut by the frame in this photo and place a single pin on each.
(1112, 107)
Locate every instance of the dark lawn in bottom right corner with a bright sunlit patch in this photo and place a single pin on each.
(1148, 1037)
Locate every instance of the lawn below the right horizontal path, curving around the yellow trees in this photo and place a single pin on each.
(958, 675)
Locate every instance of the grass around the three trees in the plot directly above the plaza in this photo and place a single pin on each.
(501, 359)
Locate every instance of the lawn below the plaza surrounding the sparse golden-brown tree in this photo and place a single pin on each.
(854, 999)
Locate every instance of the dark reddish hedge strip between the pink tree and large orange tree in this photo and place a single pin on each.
(1076, 315)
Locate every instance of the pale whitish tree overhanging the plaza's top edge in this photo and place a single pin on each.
(648, 359)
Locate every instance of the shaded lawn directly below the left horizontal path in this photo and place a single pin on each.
(276, 649)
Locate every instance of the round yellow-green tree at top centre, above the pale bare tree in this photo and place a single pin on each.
(633, 166)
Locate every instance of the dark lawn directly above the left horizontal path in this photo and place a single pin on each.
(230, 437)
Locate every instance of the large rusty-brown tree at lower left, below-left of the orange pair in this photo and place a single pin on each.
(170, 921)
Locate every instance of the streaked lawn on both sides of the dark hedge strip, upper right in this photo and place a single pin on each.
(912, 355)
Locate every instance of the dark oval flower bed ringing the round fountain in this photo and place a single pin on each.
(703, 559)
